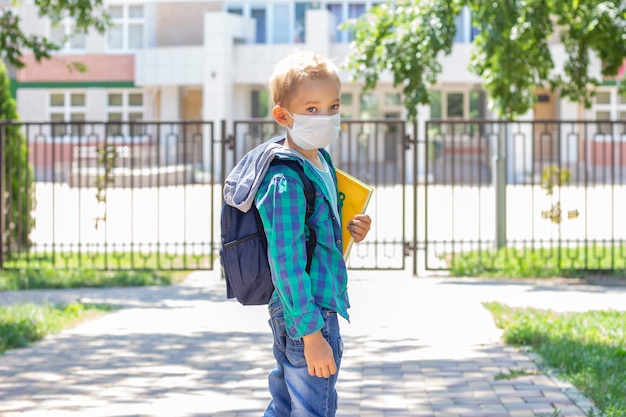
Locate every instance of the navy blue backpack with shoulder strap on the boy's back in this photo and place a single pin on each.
(243, 252)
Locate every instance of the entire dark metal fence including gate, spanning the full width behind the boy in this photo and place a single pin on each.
(133, 195)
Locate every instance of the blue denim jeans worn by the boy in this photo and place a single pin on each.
(294, 392)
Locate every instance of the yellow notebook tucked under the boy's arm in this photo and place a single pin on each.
(355, 195)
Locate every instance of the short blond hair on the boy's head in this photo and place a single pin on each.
(297, 67)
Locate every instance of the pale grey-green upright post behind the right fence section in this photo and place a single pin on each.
(499, 179)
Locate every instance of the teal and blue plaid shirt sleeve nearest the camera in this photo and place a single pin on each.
(282, 206)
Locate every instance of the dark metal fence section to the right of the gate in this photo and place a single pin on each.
(552, 189)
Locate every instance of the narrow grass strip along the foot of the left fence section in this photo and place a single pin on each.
(50, 278)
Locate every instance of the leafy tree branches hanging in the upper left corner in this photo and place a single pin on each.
(87, 14)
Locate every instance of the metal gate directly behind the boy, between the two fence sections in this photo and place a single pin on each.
(378, 152)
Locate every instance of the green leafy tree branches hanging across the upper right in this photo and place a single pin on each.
(511, 53)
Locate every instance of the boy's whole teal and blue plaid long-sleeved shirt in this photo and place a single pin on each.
(282, 206)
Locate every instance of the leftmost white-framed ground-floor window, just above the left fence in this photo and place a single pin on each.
(66, 107)
